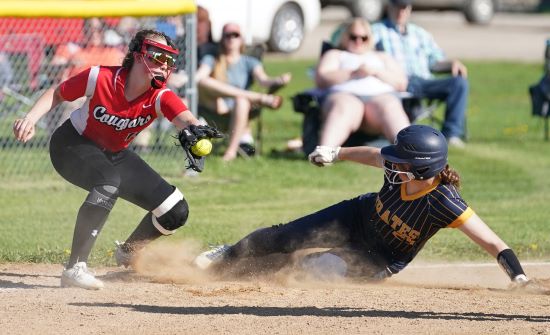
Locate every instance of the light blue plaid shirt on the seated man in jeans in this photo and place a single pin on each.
(415, 50)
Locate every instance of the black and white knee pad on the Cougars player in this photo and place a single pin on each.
(171, 214)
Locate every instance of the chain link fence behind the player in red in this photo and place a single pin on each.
(36, 53)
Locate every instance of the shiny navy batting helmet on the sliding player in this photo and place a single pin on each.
(422, 147)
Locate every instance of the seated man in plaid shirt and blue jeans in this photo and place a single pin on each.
(415, 49)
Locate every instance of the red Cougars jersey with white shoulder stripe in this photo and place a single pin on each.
(107, 118)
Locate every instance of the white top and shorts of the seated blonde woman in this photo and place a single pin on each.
(367, 86)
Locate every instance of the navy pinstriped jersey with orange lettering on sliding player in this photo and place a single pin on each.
(404, 223)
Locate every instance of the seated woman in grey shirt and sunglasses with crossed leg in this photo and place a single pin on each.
(224, 84)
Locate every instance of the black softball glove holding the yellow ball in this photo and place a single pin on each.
(189, 136)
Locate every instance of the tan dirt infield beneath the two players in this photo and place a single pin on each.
(425, 298)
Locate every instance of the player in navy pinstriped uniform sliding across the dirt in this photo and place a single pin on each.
(376, 235)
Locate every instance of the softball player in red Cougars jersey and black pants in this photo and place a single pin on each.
(90, 149)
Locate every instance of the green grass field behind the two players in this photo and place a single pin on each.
(504, 171)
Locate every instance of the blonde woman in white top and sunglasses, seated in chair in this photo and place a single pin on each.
(362, 85)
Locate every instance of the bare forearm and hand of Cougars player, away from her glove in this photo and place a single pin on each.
(24, 128)
